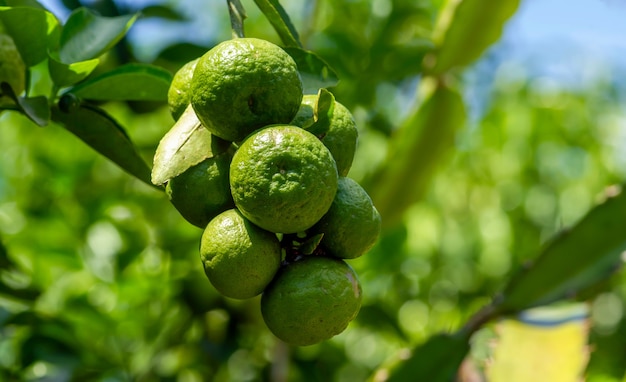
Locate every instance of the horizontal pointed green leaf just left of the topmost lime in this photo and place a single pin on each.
(130, 82)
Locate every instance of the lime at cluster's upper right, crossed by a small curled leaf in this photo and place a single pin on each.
(341, 137)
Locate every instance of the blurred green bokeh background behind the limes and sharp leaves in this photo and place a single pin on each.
(100, 278)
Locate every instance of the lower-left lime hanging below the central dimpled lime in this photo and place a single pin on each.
(239, 258)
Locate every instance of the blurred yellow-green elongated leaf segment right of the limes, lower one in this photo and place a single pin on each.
(415, 151)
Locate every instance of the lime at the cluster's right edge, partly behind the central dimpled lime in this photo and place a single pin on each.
(352, 224)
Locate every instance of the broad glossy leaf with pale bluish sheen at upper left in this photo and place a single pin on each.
(86, 35)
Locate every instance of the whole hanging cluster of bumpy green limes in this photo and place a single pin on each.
(278, 212)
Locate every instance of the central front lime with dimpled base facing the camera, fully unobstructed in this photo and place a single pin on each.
(283, 179)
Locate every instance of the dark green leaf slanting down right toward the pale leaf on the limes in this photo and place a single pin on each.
(100, 131)
